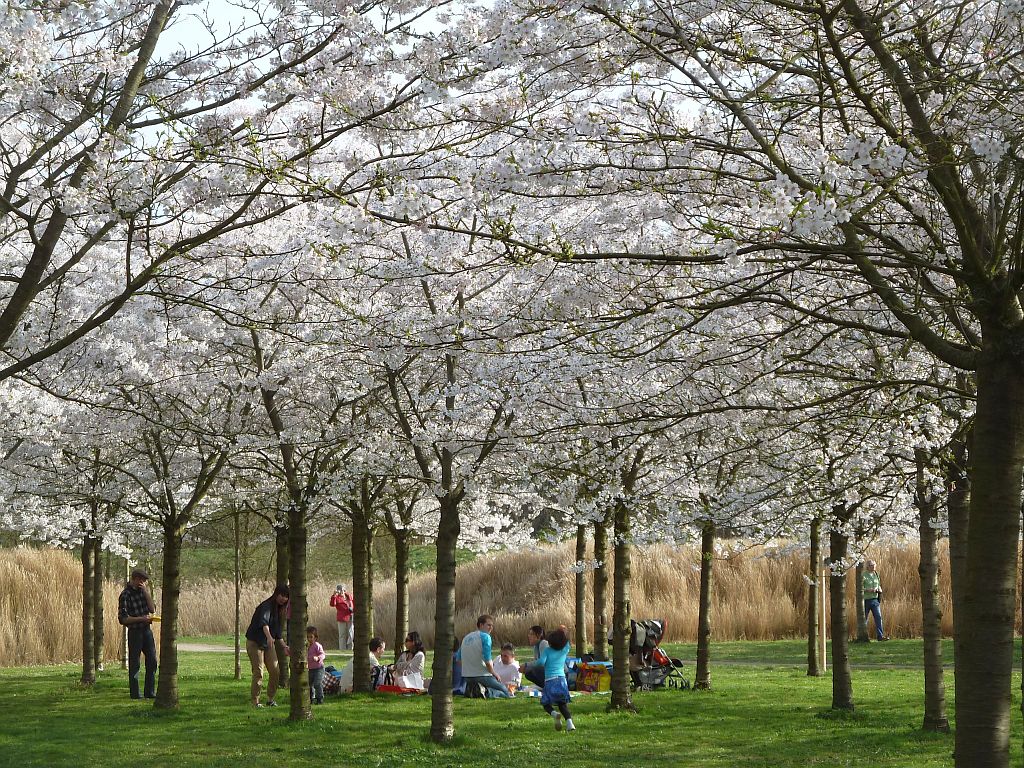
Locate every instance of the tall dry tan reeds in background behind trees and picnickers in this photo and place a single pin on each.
(755, 598)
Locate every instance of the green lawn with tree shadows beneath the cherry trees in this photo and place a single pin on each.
(767, 715)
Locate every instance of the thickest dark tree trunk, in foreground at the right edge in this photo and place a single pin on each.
(986, 637)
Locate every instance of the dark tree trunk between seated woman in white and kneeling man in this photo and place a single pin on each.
(442, 718)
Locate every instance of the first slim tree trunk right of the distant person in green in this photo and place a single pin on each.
(931, 610)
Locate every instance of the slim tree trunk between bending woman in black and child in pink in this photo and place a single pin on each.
(298, 706)
